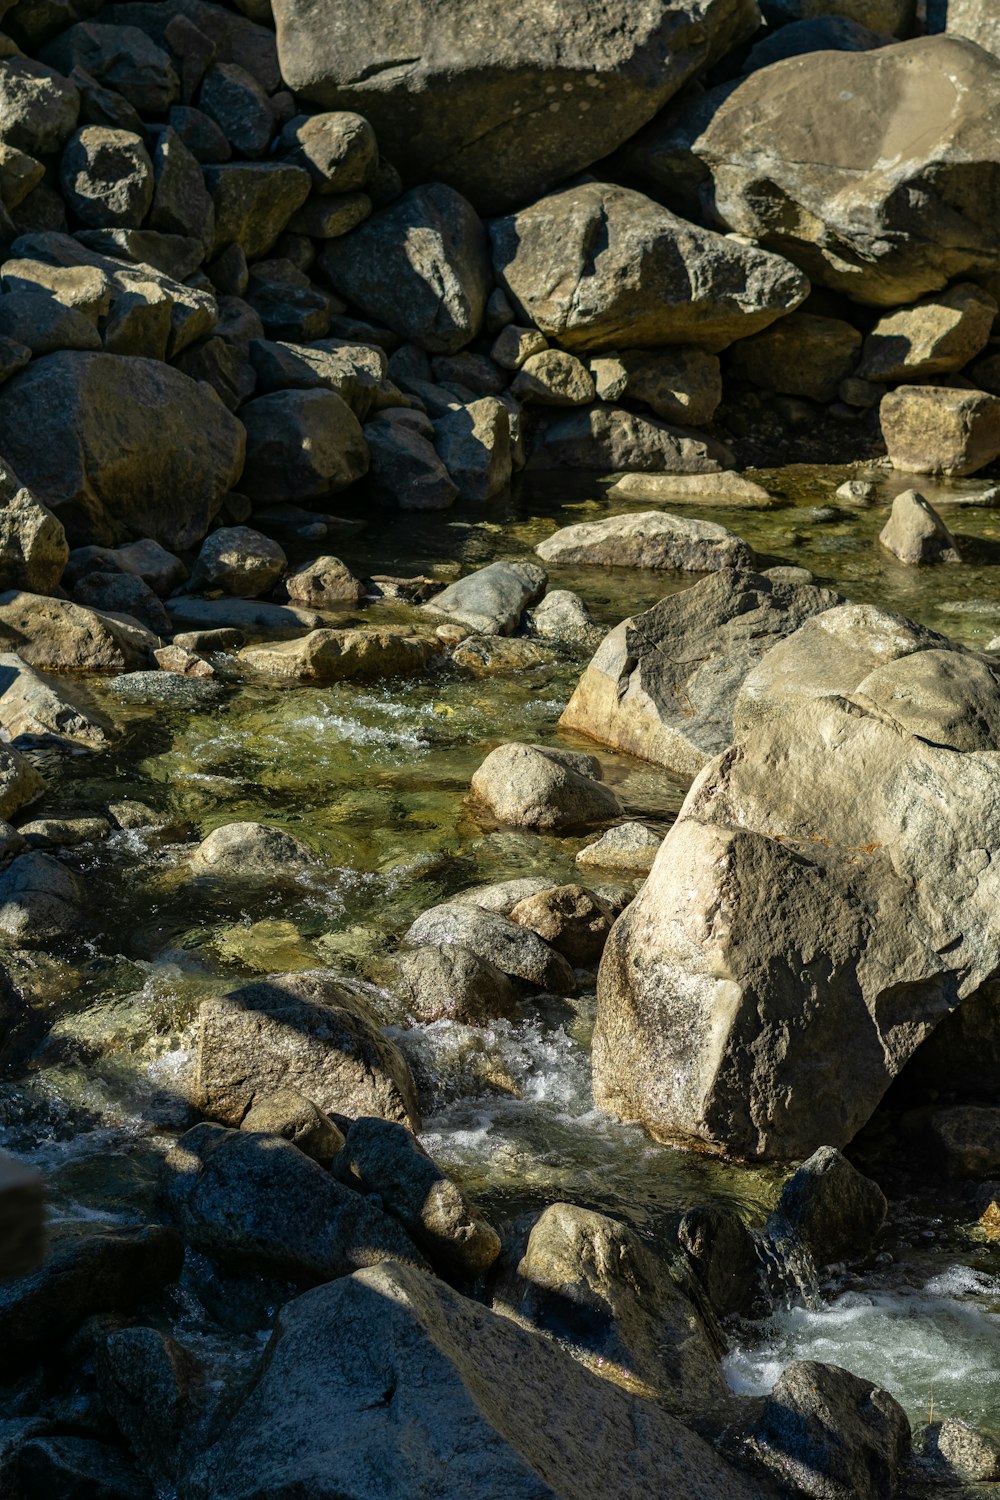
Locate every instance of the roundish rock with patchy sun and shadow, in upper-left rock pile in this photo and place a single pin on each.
(107, 178)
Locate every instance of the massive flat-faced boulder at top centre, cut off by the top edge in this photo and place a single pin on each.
(503, 106)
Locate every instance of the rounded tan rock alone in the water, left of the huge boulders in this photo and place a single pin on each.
(533, 787)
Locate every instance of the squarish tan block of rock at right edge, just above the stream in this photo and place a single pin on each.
(935, 430)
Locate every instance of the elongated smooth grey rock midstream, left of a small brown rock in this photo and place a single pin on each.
(516, 952)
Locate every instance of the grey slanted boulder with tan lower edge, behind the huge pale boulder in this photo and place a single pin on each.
(663, 685)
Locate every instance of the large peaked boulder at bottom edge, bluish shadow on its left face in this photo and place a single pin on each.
(427, 1393)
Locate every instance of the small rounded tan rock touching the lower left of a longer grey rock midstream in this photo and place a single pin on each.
(445, 982)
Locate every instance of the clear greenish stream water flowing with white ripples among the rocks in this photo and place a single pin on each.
(374, 779)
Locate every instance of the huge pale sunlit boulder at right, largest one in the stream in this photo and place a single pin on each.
(828, 889)
